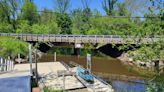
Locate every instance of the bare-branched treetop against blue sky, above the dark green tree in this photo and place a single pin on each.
(62, 5)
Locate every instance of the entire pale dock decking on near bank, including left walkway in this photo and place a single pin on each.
(58, 75)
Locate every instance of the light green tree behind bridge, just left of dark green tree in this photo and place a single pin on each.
(48, 23)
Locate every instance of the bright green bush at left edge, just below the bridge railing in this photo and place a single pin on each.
(12, 47)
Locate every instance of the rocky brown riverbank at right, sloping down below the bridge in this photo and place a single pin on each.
(145, 69)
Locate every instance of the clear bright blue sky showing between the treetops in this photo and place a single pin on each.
(95, 4)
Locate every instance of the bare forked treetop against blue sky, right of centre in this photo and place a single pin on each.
(108, 6)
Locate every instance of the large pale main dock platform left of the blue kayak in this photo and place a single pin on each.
(55, 75)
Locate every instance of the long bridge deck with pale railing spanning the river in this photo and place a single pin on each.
(105, 39)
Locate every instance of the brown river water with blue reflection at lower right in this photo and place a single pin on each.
(107, 66)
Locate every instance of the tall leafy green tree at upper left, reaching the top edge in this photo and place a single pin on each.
(29, 12)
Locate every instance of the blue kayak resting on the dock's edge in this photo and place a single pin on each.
(83, 73)
